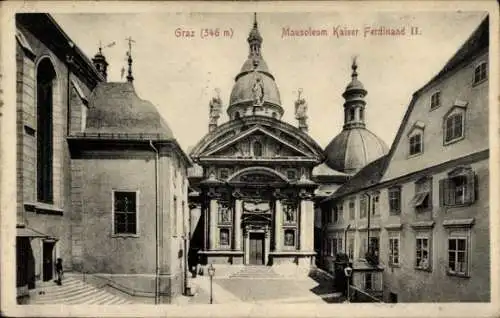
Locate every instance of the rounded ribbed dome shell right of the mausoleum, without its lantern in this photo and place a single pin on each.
(353, 149)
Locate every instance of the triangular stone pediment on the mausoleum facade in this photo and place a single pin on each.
(256, 142)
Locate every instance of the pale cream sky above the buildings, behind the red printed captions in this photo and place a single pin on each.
(180, 74)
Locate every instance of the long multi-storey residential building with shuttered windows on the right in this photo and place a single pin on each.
(426, 203)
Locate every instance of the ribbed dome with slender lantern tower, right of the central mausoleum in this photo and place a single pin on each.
(355, 146)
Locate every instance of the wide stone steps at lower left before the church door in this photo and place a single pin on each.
(74, 291)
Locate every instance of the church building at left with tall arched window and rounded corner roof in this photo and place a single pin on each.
(101, 182)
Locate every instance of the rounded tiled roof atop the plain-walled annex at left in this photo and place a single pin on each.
(115, 108)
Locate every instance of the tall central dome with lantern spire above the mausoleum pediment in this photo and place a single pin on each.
(254, 92)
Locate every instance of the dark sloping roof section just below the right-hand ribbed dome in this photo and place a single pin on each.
(369, 175)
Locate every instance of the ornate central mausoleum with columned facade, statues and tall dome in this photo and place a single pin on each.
(254, 194)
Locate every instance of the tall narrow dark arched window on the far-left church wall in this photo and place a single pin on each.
(45, 78)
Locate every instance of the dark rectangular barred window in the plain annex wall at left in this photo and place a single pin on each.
(125, 212)
